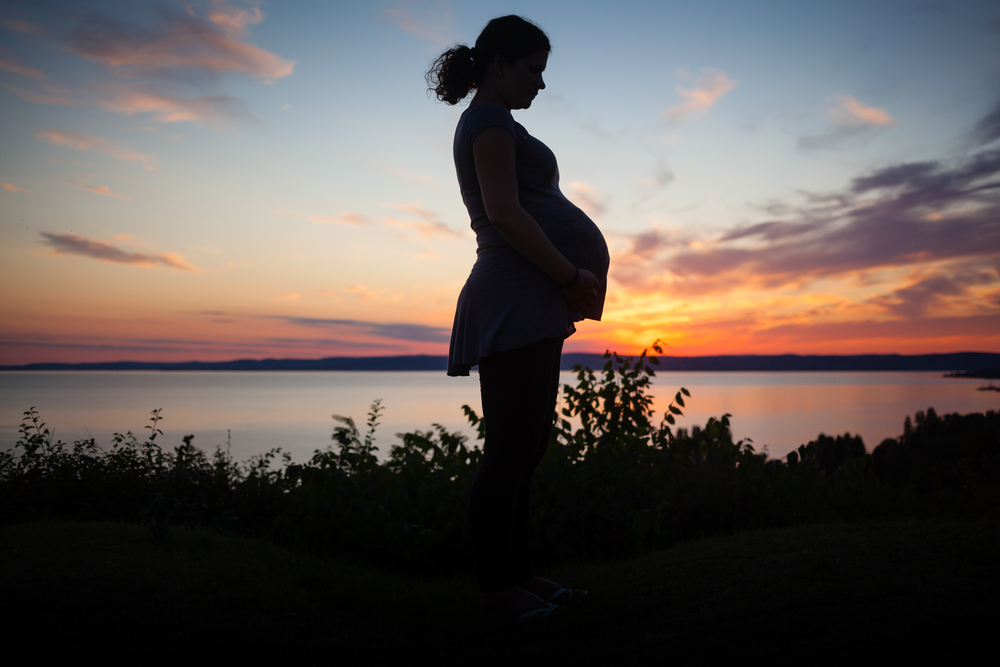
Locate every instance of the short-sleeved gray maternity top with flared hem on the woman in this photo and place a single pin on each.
(507, 301)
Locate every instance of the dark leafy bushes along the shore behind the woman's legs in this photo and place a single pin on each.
(618, 484)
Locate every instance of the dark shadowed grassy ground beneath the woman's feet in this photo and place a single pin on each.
(923, 590)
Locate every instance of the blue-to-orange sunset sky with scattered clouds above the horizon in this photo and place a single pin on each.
(217, 180)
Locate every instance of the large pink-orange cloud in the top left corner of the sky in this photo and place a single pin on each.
(158, 58)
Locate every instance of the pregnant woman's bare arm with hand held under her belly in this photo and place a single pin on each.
(494, 155)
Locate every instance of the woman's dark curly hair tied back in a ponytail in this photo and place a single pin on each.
(460, 70)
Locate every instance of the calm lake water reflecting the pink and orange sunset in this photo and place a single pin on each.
(293, 410)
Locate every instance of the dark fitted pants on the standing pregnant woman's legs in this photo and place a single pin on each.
(519, 389)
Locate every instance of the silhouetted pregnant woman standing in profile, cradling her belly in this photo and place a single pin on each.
(541, 265)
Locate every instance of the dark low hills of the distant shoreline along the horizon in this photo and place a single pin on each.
(959, 364)
